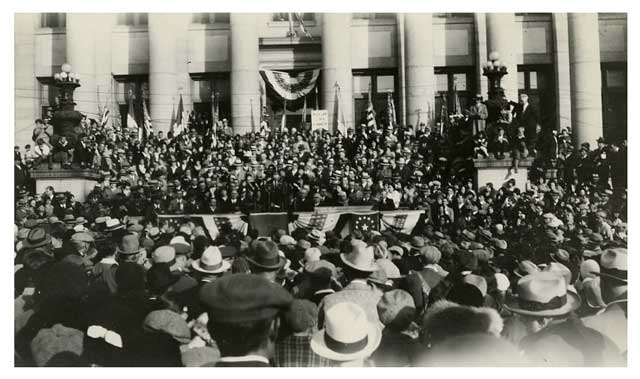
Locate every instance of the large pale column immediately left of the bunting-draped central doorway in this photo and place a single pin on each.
(245, 61)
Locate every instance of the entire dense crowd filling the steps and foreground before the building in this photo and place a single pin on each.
(505, 274)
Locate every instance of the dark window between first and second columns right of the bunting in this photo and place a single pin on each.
(381, 83)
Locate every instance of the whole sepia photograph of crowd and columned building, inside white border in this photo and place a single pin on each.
(299, 189)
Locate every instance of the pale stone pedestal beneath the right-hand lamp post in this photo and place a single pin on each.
(496, 171)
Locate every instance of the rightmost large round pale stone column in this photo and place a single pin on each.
(586, 82)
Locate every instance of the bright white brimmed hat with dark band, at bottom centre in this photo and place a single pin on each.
(347, 335)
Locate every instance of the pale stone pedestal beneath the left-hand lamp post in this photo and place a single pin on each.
(76, 181)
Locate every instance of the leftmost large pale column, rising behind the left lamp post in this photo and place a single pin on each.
(81, 54)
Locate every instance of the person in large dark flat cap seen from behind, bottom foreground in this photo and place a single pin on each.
(243, 311)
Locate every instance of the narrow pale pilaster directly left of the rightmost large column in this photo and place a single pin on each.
(561, 66)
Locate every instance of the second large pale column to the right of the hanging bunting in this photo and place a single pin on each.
(420, 78)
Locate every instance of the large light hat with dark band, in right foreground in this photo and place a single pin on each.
(543, 294)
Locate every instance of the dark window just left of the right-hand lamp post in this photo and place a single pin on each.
(454, 85)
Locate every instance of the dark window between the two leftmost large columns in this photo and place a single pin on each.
(131, 88)
